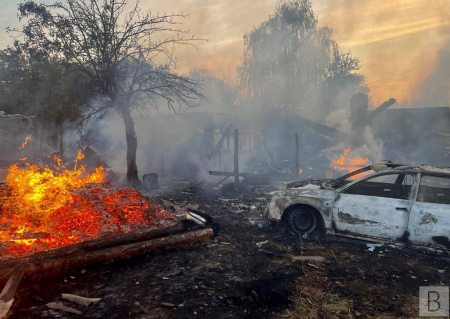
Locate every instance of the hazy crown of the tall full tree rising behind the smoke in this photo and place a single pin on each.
(291, 62)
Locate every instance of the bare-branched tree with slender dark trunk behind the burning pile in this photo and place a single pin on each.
(128, 56)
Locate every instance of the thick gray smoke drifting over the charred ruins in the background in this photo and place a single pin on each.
(182, 144)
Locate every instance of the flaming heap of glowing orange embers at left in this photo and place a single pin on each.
(49, 207)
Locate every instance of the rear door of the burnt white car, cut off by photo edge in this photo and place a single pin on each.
(430, 212)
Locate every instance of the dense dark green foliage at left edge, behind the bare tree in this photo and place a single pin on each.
(40, 85)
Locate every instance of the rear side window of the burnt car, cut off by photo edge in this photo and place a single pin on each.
(433, 189)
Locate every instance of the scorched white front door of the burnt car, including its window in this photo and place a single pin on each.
(376, 206)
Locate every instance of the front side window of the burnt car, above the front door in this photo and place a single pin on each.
(387, 186)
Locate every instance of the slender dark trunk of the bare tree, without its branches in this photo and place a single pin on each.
(132, 171)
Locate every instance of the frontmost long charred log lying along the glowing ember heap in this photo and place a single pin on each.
(112, 254)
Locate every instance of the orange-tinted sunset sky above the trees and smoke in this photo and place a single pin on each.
(398, 41)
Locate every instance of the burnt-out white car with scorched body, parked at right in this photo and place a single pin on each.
(392, 202)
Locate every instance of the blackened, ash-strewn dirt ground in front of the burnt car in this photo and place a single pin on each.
(233, 277)
